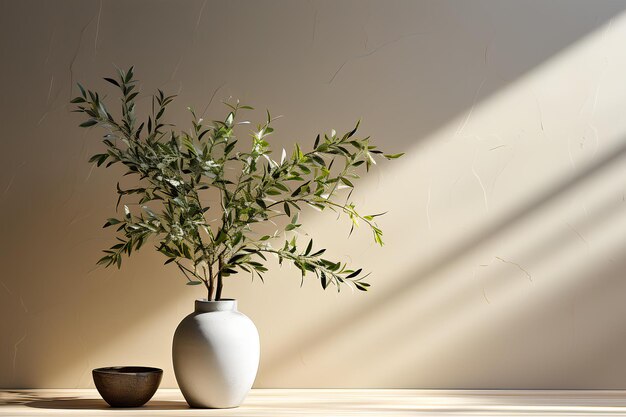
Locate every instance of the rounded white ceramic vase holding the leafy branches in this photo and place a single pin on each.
(216, 355)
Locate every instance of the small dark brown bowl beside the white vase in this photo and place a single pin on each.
(127, 386)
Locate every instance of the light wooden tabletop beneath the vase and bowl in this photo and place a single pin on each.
(329, 402)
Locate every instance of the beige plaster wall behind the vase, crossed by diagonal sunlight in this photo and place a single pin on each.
(506, 230)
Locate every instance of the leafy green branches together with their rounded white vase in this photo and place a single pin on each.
(216, 348)
